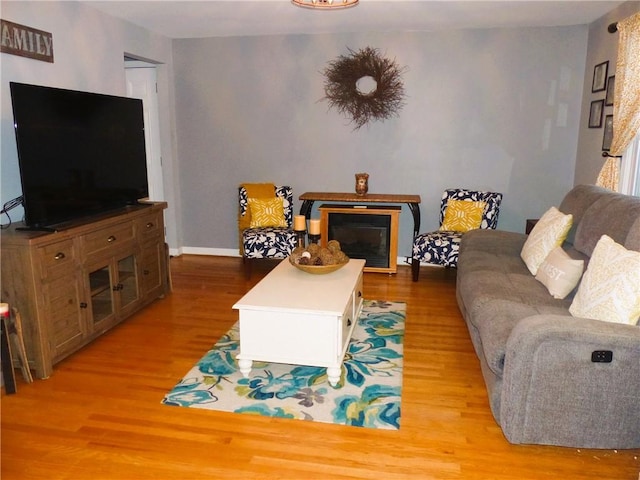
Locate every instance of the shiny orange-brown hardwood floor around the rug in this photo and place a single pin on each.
(99, 415)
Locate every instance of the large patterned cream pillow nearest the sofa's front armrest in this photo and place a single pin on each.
(610, 288)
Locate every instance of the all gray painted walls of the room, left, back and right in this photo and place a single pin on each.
(485, 109)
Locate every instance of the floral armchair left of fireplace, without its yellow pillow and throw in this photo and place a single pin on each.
(267, 241)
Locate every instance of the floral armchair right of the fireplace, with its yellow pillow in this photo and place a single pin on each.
(441, 247)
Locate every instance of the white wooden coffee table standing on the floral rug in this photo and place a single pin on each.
(298, 318)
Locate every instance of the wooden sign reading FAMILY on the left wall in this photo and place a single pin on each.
(26, 41)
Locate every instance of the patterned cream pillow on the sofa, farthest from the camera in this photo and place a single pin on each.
(547, 234)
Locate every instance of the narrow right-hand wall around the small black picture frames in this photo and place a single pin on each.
(603, 46)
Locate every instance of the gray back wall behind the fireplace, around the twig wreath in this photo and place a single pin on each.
(486, 109)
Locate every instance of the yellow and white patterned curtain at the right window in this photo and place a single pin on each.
(626, 99)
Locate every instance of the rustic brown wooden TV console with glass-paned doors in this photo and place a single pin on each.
(72, 285)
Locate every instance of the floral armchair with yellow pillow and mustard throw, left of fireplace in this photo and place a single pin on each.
(265, 218)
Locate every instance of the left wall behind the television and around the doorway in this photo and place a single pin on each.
(89, 49)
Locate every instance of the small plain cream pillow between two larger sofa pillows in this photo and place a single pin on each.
(560, 273)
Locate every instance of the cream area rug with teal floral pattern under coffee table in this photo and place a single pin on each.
(367, 395)
